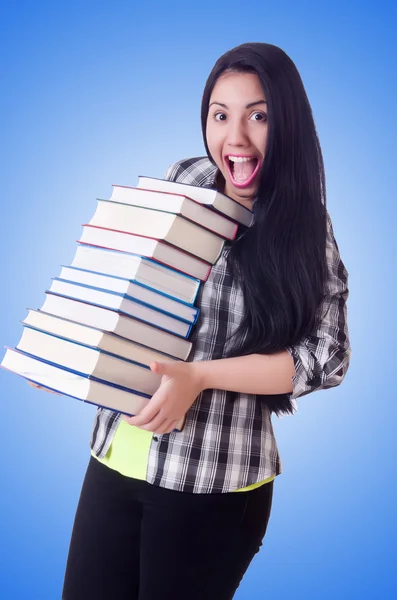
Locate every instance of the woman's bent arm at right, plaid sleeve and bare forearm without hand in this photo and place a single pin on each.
(318, 361)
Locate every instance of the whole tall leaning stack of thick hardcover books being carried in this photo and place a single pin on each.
(128, 297)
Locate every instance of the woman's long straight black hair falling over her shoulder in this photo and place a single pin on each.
(280, 260)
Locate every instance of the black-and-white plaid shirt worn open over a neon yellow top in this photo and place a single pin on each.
(228, 441)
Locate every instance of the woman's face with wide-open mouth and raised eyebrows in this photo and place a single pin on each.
(236, 133)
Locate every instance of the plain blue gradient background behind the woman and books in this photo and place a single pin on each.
(95, 93)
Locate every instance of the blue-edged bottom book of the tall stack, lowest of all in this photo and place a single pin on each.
(73, 385)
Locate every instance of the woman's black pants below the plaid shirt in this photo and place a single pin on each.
(135, 541)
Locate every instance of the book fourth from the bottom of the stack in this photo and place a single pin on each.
(113, 322)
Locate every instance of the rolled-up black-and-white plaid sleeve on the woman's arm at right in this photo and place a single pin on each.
(322, 359)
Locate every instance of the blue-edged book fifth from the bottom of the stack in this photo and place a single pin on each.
(121, 303)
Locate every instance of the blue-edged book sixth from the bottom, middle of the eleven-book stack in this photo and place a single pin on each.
(131, 290)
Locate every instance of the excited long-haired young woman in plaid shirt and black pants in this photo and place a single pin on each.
(159, 513)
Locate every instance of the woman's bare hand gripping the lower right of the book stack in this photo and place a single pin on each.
(179, 388)
